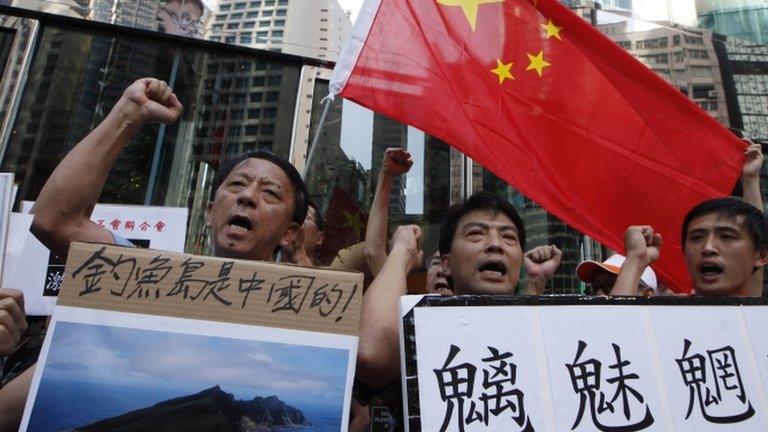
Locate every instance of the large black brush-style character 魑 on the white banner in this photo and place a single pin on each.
(500, 393)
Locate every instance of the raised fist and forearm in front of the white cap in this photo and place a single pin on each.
(642, 249)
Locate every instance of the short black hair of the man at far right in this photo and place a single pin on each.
(731, 208)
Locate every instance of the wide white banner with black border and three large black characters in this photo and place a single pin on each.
(477, 363)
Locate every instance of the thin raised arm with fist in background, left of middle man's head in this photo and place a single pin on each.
(396, 162)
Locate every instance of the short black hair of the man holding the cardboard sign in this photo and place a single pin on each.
(299, 188)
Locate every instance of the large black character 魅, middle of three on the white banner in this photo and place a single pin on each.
(586, 382)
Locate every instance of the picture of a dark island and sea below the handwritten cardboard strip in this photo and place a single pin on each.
(99, 378)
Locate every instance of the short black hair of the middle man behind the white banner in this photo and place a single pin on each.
(478, 201)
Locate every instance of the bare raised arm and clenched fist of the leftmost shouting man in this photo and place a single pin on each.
(61, 212)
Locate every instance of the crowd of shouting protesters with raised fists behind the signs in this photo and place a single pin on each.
(259, 205)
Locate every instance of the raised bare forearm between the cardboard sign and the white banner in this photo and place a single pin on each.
(378, 360)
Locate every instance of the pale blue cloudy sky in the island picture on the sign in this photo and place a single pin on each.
(246, 368)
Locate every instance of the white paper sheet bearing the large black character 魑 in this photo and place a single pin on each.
(479, 377)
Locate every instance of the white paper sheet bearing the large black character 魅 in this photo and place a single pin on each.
(601, 369)
